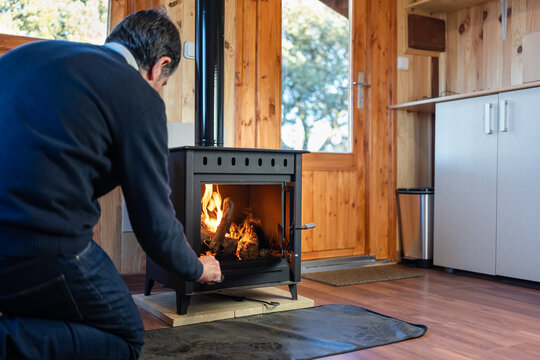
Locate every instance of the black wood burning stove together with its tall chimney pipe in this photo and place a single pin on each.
(264, 185)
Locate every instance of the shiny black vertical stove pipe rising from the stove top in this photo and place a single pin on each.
(209, 58)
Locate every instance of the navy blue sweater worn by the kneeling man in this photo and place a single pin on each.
(75, 122)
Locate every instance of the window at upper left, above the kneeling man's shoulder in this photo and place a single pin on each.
(74, 20)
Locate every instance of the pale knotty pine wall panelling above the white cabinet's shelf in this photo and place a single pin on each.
(477, 58)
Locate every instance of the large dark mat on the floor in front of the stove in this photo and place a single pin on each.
(296, 334)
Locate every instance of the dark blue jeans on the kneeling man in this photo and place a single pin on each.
(73, 306)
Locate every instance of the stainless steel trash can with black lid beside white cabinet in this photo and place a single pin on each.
(415, 214)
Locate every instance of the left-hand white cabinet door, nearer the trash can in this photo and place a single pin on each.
(465, 185)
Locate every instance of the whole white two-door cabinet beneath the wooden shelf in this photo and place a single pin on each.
(487, 171)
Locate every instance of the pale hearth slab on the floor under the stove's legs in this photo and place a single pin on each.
(212, 307)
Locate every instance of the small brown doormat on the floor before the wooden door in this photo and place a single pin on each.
(363, 275)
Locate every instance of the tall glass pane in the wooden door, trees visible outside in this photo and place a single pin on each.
(315, 76)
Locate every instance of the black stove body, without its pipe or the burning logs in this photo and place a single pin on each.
(267, 183)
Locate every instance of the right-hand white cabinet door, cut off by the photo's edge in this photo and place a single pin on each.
(518, 197)
